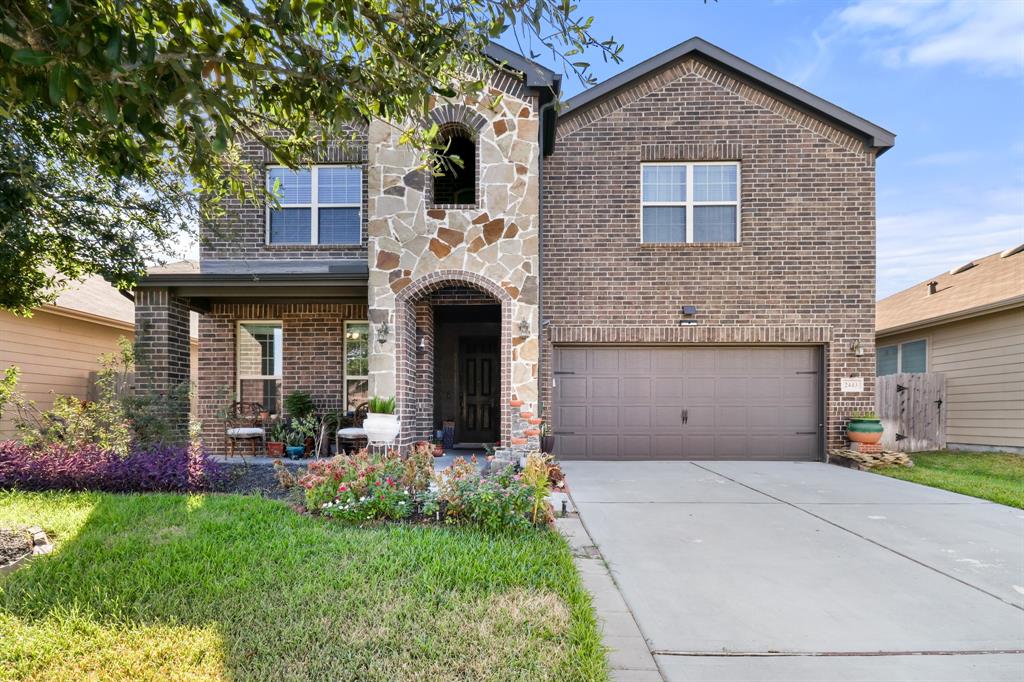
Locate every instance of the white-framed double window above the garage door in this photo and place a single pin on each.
(691, 202)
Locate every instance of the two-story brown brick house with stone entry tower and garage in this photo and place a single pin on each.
(676, 264)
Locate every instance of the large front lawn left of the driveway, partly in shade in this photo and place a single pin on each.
(148, 587)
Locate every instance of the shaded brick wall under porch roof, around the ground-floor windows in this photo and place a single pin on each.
(314, 347)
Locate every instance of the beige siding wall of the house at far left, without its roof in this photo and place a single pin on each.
(56, 355)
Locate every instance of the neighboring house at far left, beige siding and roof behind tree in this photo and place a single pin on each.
(58, 349)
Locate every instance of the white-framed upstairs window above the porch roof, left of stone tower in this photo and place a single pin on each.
(319, 205)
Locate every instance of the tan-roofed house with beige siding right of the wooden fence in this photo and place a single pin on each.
(968, 325)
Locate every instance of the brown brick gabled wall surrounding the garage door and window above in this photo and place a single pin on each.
(804, 272)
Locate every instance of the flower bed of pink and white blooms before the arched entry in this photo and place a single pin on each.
(367, 487)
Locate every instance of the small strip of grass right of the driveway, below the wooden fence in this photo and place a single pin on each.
(996, 477)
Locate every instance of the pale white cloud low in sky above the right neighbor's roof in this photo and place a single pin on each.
(914, 247)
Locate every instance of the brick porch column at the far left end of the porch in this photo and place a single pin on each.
(162, 356)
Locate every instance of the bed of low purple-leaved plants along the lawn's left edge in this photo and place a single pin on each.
(55, 466)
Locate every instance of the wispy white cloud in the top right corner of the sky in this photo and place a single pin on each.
(985, 34)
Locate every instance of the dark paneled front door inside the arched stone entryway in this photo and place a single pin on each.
(479, 391)
